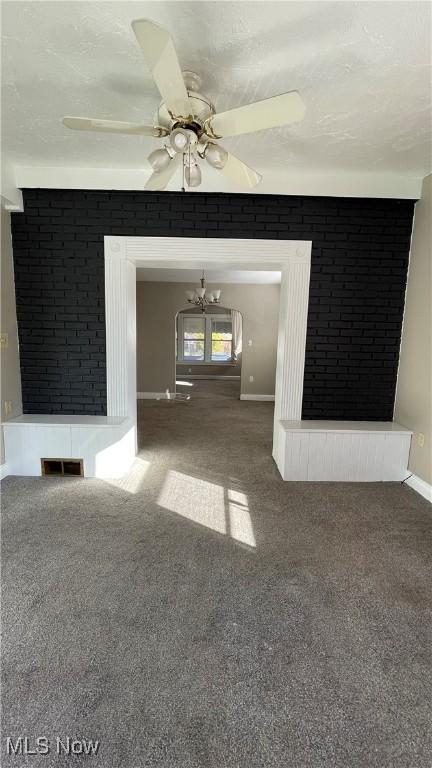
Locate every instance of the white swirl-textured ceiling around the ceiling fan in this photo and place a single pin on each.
(363, 69)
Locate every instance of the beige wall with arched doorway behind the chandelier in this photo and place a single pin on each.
(157, 305)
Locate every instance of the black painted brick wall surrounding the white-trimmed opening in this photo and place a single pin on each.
(358, 276)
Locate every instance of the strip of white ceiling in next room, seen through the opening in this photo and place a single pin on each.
(161, 275)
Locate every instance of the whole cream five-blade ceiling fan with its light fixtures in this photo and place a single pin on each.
(188, 121)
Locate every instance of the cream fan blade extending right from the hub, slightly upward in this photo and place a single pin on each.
(269, 113)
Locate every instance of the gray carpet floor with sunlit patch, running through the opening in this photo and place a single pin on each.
(202, 613)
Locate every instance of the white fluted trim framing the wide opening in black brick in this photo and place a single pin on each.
(124, 254)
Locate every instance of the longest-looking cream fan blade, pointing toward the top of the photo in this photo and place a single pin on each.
(160, 54)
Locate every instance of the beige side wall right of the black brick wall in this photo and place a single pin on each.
(414, 387)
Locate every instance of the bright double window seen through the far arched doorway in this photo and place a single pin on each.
(204, 338)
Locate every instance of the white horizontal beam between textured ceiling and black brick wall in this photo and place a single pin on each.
(320, 182)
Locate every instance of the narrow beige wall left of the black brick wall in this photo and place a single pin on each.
(10, 368)
